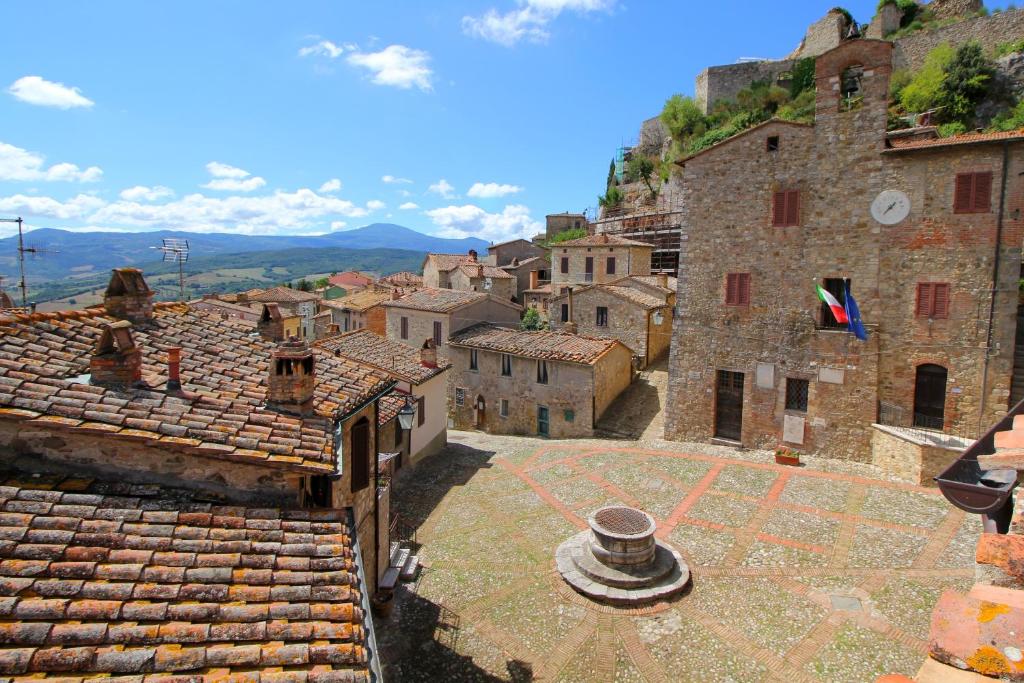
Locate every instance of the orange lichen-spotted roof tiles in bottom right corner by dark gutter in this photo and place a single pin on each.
(979, 636)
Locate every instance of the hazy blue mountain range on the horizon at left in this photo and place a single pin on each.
(72, 255)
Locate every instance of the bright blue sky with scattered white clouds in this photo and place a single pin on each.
(455, 118)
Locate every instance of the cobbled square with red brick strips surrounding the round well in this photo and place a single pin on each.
(799, 574)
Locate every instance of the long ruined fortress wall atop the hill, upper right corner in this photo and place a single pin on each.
(990, 31)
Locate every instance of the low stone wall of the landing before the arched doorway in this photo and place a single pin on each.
(916, 461)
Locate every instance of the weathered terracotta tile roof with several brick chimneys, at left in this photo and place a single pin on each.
(224, 368)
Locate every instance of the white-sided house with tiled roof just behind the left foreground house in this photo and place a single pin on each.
(422, 377)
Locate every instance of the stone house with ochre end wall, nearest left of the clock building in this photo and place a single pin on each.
(637, 311)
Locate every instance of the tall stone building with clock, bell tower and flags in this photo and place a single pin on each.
(756, 359)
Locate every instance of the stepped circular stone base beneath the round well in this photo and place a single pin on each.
(665, 576)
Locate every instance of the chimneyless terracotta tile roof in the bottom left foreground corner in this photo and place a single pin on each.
(101, 579)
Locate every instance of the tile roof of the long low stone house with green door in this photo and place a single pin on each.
(547, 346)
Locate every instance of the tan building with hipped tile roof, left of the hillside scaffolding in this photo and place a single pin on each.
(598, 260)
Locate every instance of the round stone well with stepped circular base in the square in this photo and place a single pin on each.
(619, 561)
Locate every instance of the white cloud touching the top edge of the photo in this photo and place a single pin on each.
(529, 22)
